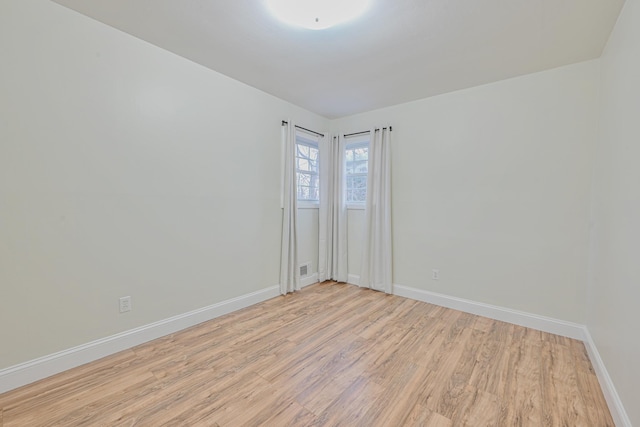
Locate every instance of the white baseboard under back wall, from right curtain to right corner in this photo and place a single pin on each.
(534, 321)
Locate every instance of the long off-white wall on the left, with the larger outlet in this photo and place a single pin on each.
(125, 170)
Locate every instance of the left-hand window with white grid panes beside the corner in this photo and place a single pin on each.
(307, 178)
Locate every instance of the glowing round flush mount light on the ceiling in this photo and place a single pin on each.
(317, 14)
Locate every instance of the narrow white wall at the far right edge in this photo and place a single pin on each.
(613, 316)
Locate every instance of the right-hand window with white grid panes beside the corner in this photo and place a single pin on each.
(357, 165)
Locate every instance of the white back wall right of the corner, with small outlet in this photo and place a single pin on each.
(491, 185)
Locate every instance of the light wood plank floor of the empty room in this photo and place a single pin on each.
(332, 354)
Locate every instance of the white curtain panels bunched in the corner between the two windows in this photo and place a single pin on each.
(332, 228)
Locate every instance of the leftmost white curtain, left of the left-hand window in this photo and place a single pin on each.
(289, 274)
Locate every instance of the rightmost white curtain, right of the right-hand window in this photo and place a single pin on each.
(376, 269)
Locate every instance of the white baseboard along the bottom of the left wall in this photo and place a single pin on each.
(43, 367)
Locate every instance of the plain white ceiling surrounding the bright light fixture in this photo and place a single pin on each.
(399, 51)
